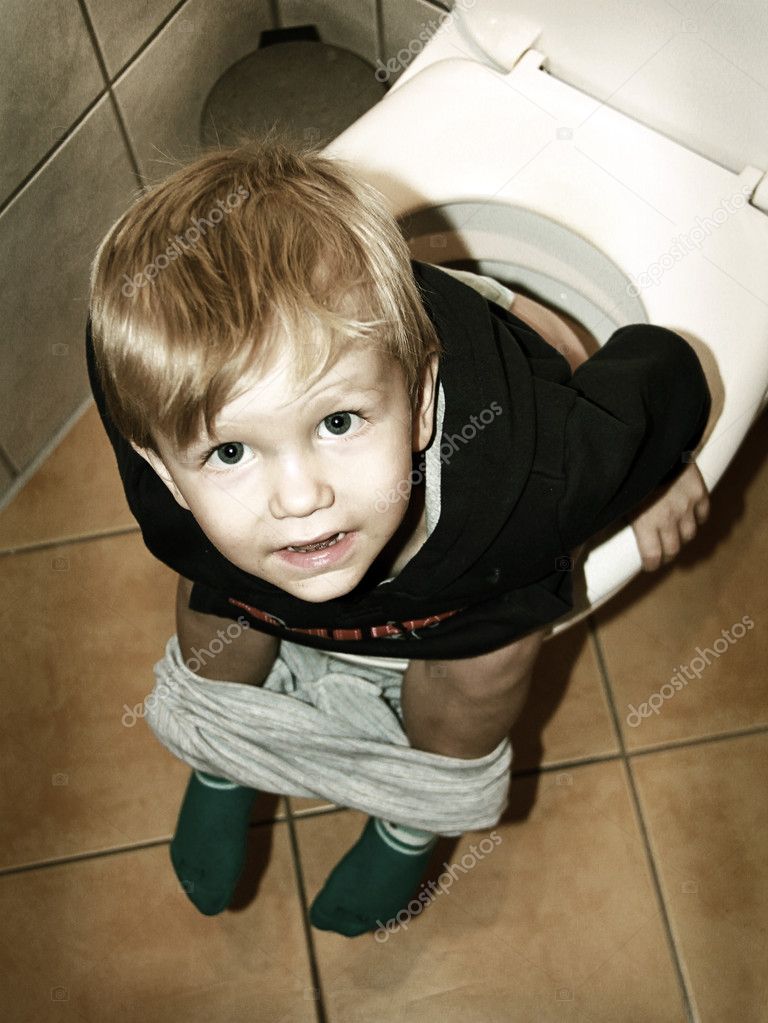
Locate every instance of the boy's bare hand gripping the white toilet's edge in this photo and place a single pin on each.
(671, 520)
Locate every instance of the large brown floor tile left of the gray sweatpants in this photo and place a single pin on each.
(82, 771)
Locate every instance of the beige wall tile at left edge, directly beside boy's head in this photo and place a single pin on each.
(49, 237)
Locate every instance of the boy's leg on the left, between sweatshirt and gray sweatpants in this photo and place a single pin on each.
(248, 658)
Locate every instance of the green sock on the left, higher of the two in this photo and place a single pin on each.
(208, 851)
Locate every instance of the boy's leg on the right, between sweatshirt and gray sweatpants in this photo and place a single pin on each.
(464, 708)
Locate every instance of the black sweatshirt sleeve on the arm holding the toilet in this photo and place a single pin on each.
(642, 407)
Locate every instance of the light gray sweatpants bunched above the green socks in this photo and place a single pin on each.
(330, 727)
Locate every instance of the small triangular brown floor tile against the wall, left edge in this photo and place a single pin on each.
(77, 493)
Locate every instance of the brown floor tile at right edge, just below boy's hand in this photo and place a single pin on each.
(690, 635)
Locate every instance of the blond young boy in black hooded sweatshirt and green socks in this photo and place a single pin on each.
(269, 364)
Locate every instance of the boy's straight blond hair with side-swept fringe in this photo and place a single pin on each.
(186, 305)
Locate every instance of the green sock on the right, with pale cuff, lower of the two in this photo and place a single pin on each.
(375, 880)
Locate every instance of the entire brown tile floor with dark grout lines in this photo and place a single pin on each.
(626, 882)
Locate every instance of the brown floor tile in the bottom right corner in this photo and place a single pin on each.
(706, 809)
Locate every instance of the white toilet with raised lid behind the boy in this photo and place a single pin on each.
(493, 163)
